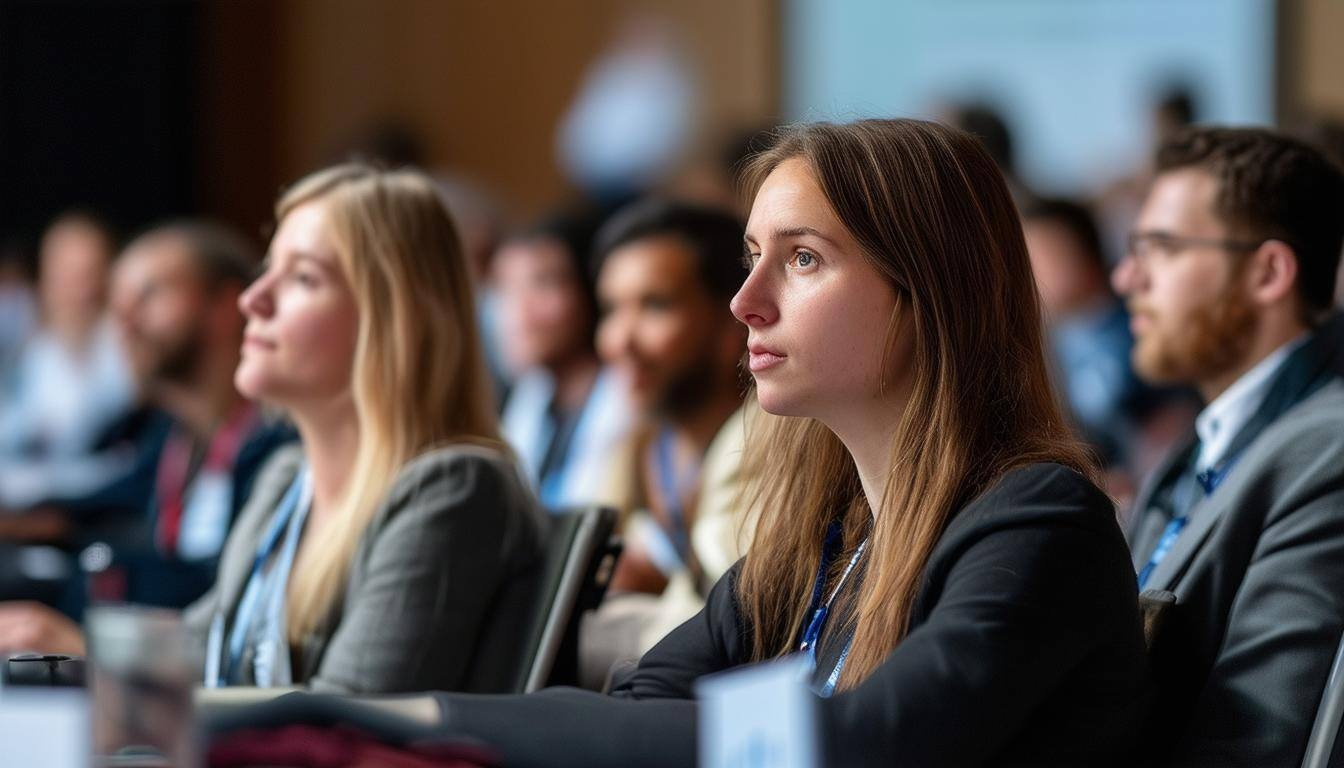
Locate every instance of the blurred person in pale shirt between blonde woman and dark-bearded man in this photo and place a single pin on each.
(566, 414)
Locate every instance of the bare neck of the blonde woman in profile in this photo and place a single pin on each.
(330, 434)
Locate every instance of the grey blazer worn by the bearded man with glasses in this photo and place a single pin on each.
(1259, 574)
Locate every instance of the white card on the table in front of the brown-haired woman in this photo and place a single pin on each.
(760, 718)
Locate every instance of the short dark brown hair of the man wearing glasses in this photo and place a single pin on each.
(1275, 188)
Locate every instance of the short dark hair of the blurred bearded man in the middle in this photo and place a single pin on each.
(713, 236)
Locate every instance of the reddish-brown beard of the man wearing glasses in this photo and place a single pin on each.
(1213, 341)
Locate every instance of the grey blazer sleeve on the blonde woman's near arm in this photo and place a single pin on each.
(428, 578)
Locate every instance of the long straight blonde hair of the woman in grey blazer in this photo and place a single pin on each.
(419, 377)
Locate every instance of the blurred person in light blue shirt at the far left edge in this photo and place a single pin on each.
(71, 381)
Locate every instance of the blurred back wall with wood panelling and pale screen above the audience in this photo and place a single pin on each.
(144, 110)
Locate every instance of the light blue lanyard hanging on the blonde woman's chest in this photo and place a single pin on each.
(290, 517)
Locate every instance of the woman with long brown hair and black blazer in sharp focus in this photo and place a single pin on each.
(931, 532)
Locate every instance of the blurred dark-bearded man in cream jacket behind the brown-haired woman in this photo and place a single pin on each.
(666, 275)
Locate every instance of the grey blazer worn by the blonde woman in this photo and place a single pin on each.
(440, 587)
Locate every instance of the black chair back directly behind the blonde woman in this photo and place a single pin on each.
(581, 556)
